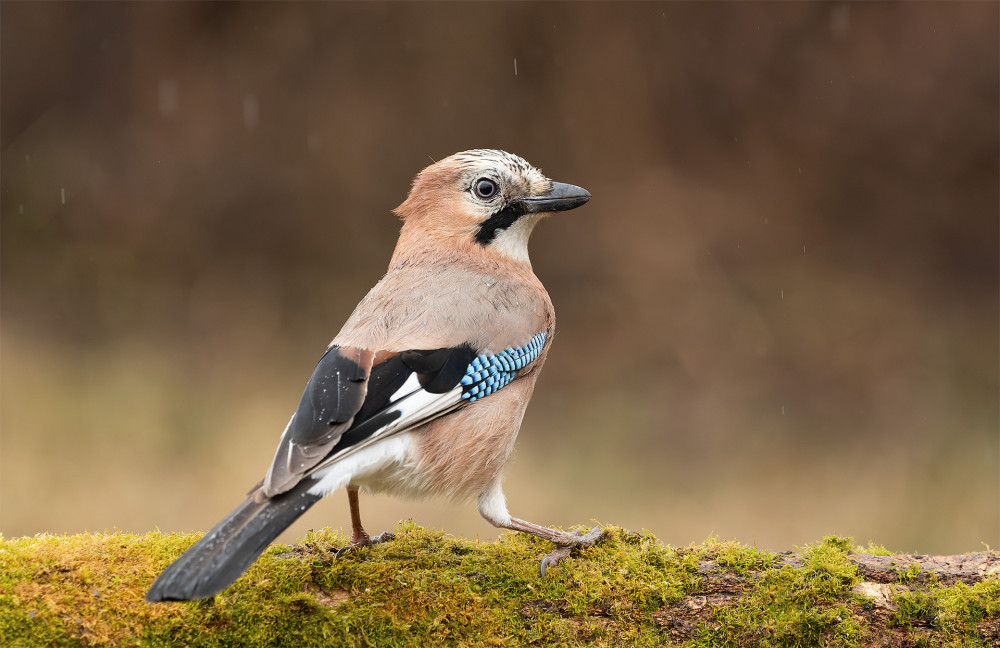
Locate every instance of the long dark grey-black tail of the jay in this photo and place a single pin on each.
(224, 553)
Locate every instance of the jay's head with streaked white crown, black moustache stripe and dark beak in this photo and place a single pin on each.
(483, 200)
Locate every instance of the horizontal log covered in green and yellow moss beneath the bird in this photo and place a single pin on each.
(429, 589)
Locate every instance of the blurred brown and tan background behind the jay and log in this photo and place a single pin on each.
(778, 317)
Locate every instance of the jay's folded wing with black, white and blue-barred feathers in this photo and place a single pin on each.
(356, 397)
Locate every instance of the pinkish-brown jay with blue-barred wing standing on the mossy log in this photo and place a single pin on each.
(422, 392)
